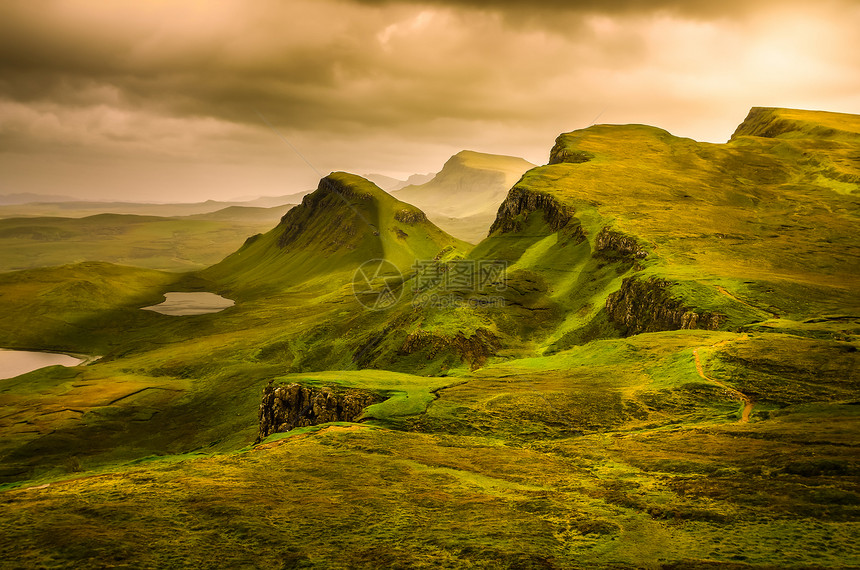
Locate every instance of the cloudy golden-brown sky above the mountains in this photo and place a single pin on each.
(181, 101)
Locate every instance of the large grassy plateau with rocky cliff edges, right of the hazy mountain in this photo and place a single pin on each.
(702, 235)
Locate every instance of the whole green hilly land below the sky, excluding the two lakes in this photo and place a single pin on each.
(643, 354)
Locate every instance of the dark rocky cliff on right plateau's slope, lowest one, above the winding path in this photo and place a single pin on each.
(648, 306)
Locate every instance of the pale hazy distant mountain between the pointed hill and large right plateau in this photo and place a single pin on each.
(462, 198)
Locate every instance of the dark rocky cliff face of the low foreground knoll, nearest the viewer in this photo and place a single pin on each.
(294, 405)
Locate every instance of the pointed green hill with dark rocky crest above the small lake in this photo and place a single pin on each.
(346, 222)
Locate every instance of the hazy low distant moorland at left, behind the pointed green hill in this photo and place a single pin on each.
(169, 244)
